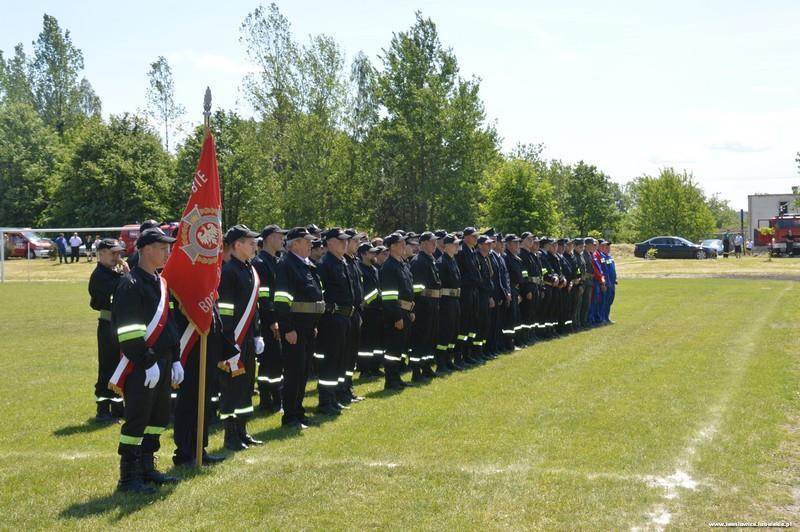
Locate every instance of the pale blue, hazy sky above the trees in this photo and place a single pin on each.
(712, 87)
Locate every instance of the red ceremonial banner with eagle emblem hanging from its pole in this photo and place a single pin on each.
(193, 269)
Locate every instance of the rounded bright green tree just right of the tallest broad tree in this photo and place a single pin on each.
(520, 199)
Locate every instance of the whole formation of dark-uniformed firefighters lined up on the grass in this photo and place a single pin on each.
(331, 303)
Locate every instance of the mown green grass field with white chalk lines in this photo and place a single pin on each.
(698, 376)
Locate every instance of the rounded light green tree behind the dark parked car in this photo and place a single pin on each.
(670, 204)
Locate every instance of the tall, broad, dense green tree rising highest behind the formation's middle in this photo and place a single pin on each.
(432, 142)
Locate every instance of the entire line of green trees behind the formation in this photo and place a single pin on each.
(402, 142)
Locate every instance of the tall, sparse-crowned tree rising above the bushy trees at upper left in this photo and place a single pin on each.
(56, 66)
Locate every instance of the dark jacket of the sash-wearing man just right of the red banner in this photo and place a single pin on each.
(235, 289)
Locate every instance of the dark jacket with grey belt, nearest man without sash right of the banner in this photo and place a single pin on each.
(297, 281)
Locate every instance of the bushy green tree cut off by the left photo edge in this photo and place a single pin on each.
(29, 153)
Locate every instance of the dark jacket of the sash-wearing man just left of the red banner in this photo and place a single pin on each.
(135, 302)
